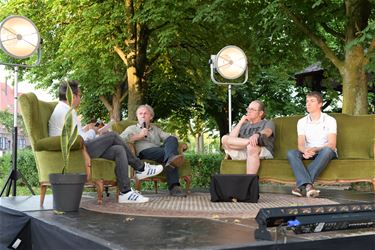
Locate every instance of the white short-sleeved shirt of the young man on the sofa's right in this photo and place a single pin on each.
(316, 132)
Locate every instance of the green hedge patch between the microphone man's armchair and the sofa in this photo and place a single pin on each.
(203, 167)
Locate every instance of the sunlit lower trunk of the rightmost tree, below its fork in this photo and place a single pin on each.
(355, 83)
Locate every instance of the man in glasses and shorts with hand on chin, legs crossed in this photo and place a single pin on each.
(252, 138)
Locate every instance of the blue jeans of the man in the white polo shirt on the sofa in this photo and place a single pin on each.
(308, 175)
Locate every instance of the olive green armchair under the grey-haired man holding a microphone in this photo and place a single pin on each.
(184, 171)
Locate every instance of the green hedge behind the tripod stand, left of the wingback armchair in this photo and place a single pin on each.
(25, 164)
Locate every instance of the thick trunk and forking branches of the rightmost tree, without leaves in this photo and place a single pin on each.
(352, 70)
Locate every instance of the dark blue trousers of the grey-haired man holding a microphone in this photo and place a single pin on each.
(162, 155)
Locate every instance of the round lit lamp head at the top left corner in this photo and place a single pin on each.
(19, 37)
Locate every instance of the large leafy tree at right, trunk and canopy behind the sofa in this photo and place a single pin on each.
(296, 33)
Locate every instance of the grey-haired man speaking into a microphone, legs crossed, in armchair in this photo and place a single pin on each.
(148, 139)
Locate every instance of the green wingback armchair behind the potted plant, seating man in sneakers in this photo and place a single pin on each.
(47, 150)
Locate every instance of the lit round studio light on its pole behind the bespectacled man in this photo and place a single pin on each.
(231, 64)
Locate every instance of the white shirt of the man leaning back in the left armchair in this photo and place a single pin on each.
(56, 122)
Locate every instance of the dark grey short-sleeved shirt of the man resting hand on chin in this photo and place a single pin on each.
(248, 129)
